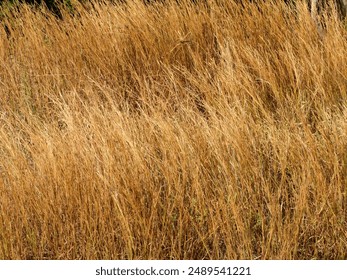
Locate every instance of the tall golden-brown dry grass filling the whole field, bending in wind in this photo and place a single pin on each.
(173, 132)
